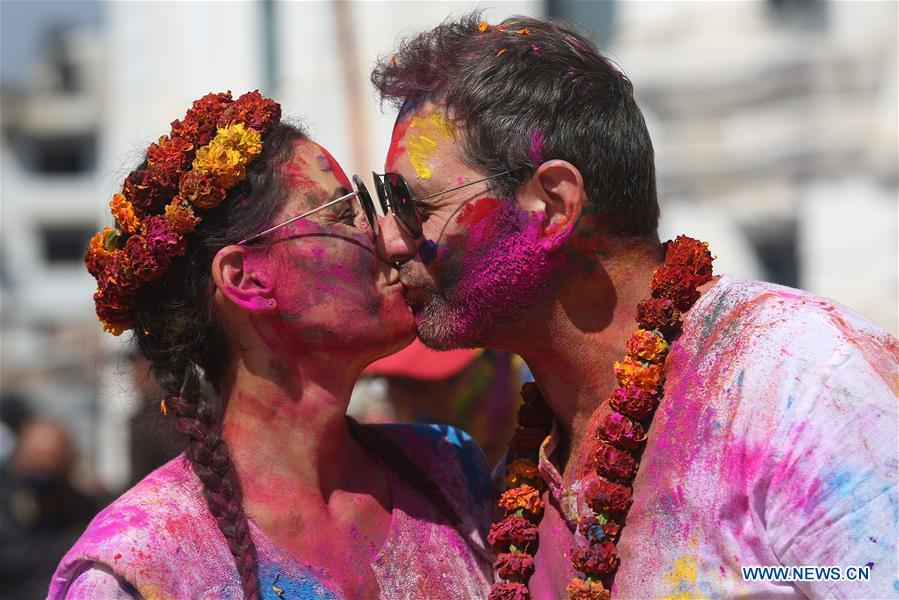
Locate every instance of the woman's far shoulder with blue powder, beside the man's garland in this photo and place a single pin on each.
(448, 455)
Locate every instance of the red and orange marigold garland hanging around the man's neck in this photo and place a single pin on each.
(620, 438)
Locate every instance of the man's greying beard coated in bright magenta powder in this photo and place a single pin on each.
(489, 296)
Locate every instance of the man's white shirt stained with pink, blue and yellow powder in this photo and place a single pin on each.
(775, 445)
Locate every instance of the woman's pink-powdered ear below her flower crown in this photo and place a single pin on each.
(239, 282)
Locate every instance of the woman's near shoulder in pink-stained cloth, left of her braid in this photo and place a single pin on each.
(158, 537)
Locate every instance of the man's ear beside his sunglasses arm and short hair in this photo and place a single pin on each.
(560, 186)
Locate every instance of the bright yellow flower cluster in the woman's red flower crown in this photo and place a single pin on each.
(227, 155)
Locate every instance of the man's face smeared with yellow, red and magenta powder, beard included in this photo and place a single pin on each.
(480, 262)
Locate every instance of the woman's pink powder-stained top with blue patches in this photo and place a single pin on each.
(159, 540)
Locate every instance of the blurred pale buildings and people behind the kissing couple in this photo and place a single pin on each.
(774, 122)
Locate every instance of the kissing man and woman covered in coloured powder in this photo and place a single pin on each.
(682, 425)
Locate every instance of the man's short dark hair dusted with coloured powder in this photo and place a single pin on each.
(530, 90)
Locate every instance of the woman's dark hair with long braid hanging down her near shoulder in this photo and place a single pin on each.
(177, 330)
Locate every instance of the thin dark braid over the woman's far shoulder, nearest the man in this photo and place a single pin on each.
(392, 455)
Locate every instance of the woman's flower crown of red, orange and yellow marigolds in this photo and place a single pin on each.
(188, 171)
